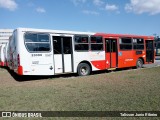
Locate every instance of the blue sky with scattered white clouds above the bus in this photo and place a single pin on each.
(141, 17)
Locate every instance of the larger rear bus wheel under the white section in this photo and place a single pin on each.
(83, 69)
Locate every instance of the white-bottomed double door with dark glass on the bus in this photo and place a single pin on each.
(63, 54)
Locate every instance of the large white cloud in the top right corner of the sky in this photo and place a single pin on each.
(143, 6)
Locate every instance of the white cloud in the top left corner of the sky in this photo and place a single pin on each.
(8, 4)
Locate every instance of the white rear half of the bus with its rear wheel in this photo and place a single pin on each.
(51, 52)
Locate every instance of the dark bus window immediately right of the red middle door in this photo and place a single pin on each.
(125, 43)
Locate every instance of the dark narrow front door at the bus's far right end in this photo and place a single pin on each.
(149, 51)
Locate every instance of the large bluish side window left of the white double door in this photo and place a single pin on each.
(37, 42)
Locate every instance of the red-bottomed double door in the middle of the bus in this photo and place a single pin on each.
(111, 53)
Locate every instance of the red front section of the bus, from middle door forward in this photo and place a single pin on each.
(128, 50)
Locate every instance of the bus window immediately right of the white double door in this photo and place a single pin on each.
(81, 43)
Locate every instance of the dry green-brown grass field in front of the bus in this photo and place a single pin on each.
(128, 90)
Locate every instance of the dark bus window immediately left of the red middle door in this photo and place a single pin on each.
(96, 43)
